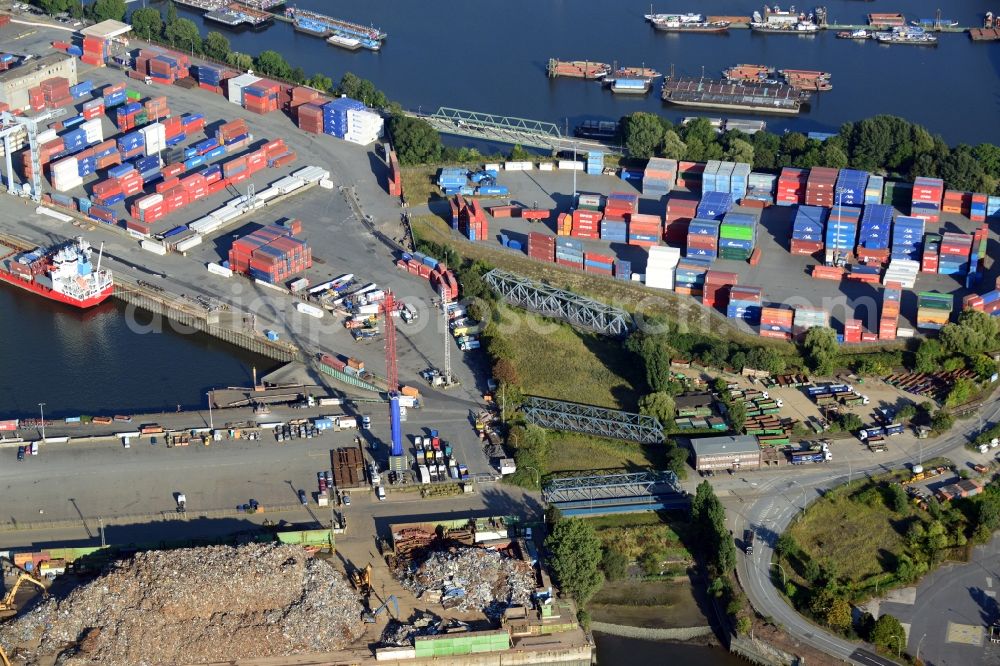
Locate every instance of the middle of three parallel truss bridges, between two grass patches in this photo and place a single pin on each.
(599, 421)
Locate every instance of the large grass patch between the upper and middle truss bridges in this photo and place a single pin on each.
(554, 360)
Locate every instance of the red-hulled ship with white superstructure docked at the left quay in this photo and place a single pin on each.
(64, 273)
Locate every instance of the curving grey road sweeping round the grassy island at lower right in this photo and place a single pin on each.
(770, 510)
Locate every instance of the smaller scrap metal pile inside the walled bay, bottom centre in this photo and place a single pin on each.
(467, 579)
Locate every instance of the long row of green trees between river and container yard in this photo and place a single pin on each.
(882, 144)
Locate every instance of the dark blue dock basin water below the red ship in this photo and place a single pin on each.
(93, 361)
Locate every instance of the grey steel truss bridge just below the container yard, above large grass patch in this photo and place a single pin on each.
(572, 308)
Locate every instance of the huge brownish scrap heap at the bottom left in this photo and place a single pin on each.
(213, 604)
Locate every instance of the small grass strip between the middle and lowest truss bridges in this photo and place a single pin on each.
(571, 452)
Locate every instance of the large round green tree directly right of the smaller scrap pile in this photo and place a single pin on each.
(575, 551)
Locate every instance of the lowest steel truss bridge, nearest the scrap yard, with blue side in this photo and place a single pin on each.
(607, 487)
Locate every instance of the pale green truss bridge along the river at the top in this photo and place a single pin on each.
(508, 129)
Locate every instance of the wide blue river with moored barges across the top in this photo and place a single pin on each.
(490, 58)
